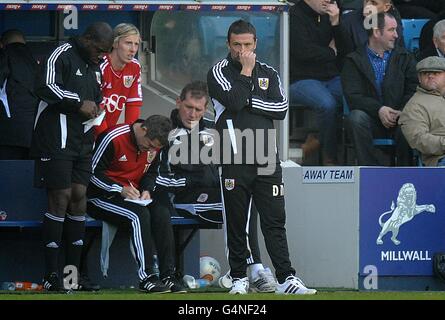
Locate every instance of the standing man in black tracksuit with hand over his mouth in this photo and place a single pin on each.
(247, 97)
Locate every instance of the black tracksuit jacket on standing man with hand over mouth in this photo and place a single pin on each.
(247, 103)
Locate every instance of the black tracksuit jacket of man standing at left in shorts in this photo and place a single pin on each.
(68, 80)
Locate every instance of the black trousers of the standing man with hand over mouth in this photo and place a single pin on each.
(241, 184)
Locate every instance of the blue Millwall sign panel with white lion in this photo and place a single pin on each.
(402, 219)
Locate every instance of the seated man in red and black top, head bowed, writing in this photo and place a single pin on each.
(122, 156)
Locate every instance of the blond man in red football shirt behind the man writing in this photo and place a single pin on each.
(121, 78)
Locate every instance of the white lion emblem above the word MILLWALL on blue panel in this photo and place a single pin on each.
(405, 211)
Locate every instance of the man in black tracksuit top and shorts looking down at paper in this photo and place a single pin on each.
(62, 145)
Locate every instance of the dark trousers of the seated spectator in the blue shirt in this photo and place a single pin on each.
(362, 129)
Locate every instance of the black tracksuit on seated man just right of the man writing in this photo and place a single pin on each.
(193, 185)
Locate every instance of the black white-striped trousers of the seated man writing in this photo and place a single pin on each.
(145, 224)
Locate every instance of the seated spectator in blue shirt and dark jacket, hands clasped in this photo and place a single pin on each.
(378, 80)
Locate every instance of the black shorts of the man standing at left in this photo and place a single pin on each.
(60, 174)
